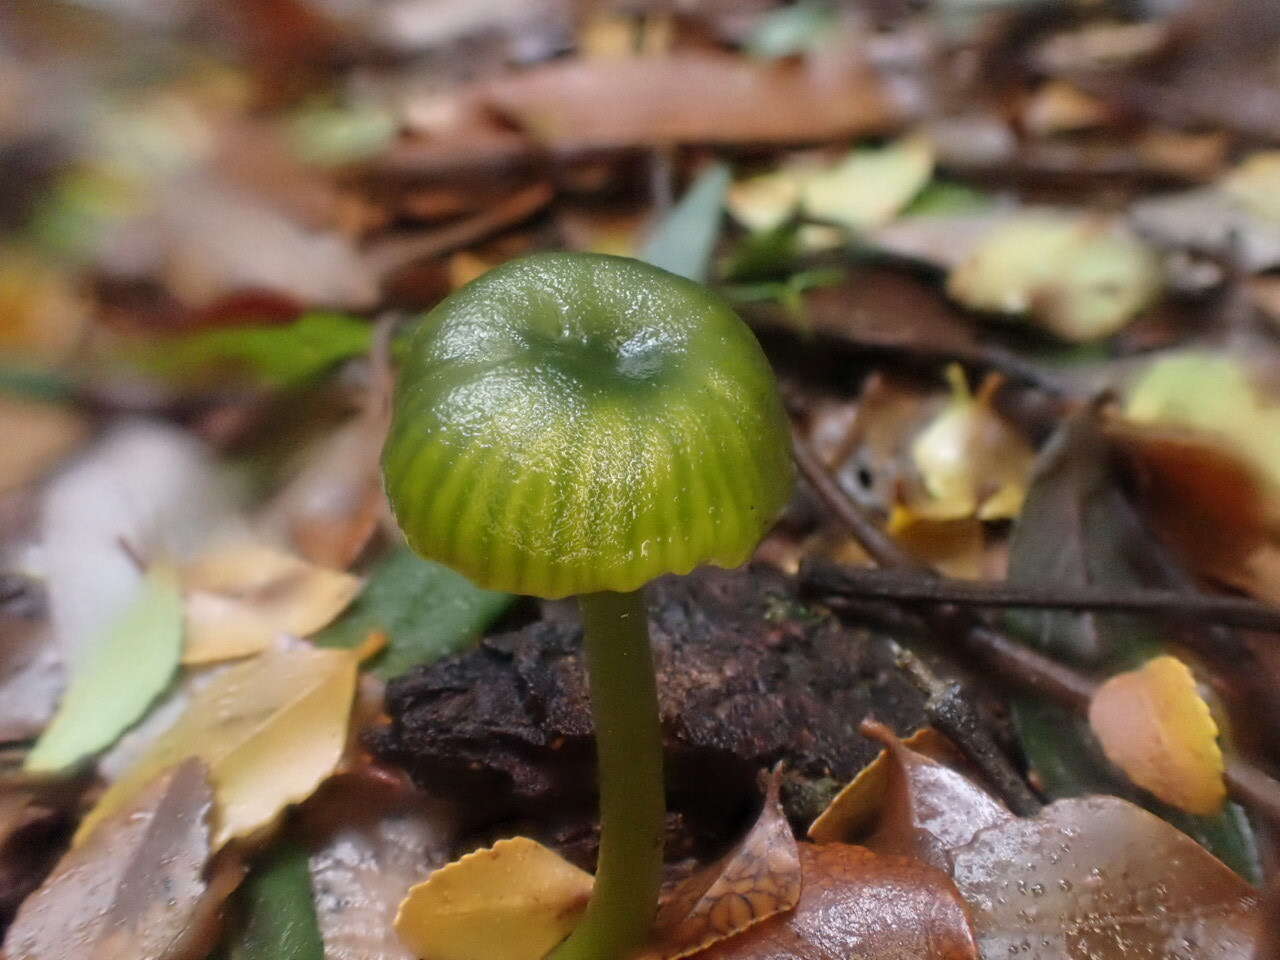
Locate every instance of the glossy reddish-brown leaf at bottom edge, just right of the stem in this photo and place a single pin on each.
(858, 904)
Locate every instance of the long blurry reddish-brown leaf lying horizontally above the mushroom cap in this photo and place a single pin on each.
(705, 98)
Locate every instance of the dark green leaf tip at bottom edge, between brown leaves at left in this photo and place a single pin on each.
(278, 909)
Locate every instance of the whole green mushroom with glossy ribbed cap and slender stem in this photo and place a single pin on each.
(577, 424)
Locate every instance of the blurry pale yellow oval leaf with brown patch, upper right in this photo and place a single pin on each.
(1081, 278)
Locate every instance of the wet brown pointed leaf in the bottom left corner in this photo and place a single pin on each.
(135, 889)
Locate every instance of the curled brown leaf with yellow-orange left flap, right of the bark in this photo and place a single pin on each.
(909, 803)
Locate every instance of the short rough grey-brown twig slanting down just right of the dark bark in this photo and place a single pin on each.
(952, 712)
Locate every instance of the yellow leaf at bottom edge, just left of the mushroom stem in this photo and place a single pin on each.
(513, 902)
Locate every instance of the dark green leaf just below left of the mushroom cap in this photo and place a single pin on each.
(427, 611)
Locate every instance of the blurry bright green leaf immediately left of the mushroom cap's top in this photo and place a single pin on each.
(278, 356)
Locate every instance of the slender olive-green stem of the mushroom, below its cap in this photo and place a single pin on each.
(633, 804)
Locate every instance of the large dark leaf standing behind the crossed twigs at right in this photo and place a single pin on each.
(1078, 529)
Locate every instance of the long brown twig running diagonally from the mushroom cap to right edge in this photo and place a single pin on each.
(1013, 661)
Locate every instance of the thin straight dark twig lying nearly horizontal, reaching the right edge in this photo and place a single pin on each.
(876, 584)
